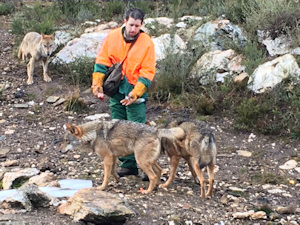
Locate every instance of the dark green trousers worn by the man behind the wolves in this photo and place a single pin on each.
(133, 112)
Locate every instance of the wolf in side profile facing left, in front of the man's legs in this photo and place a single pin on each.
(116, 138)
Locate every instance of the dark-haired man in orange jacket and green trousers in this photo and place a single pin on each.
(138, 71)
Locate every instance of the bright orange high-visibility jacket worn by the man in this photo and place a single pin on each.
(140, 61)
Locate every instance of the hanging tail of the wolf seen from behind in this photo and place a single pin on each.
(208, 150)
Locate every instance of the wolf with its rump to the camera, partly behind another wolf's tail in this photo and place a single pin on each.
(198, 148)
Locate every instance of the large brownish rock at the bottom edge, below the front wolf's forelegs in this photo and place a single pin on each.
(95, 206)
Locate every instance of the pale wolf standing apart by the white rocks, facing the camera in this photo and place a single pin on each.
(37, 47)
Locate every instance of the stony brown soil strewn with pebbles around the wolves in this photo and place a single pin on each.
(36, 128)
